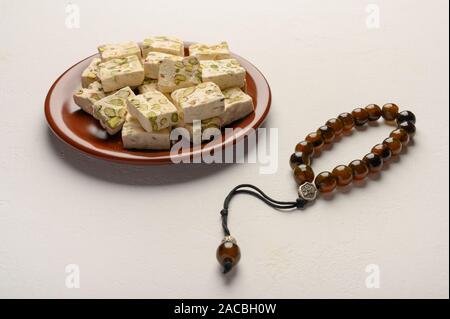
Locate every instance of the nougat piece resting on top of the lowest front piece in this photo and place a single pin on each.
(153, 110)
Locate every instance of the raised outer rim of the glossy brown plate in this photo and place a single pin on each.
(155, 160)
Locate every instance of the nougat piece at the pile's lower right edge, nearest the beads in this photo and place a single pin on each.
(237, 105)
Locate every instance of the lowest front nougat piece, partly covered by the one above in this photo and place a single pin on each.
(135, 137)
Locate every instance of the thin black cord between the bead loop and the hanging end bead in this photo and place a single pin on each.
(256, 192)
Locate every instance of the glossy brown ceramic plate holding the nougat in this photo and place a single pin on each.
(83, 132)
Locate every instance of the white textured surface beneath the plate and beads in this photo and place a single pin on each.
(153, 231)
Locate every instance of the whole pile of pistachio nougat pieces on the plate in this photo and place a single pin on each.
(144, 91)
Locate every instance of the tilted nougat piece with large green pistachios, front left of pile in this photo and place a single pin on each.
(112, 109)
